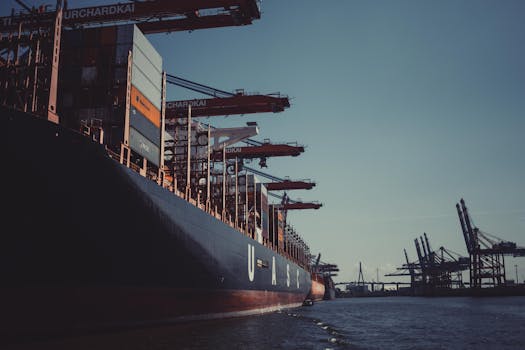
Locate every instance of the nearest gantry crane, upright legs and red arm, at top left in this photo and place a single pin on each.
(30, 40)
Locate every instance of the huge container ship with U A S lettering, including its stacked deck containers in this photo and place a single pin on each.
(119, 211)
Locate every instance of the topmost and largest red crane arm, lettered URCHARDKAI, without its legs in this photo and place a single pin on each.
(156, 16)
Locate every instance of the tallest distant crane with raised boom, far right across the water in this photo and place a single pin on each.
(487, 252)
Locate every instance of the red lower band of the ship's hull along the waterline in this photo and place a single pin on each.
(54, 311)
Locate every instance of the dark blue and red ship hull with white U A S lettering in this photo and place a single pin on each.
(90, 244)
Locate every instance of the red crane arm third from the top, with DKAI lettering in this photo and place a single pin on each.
(265, 150)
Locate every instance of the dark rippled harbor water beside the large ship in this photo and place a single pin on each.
(352, 323)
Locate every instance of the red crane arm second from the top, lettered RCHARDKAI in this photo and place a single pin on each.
(238, 104)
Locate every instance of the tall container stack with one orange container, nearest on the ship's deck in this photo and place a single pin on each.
(88, 57)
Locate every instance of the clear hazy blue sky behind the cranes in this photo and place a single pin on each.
(404, 108)
